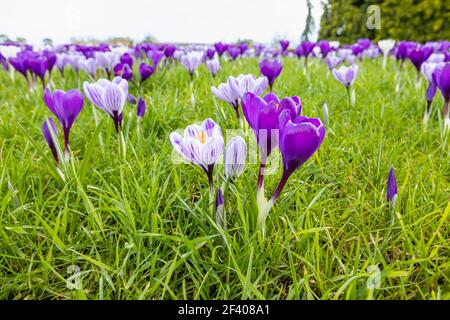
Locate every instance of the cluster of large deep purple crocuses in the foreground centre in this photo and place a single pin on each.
(280, 124)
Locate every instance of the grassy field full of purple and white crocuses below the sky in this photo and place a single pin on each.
(225, 171)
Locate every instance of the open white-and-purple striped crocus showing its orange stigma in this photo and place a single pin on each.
(201, 146)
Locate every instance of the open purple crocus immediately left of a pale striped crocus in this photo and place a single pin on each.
(66, 107)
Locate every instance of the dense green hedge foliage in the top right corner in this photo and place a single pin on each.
(418, 20)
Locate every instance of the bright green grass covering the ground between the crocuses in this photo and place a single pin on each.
(139, 227)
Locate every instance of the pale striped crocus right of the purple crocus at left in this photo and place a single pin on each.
(110, 96)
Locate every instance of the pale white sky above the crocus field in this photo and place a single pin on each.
(167, 20)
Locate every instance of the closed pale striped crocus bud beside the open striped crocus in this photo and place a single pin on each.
(235, 156)
